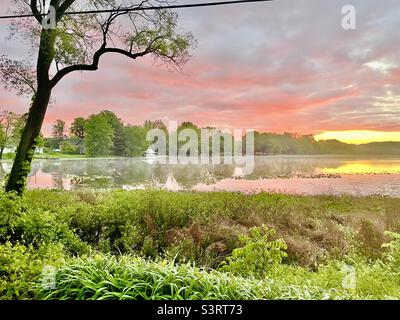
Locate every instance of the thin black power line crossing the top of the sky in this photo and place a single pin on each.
(176, 6)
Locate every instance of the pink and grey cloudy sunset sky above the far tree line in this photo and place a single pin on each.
(282, 66)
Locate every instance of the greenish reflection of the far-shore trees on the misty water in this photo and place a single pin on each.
(115, 173)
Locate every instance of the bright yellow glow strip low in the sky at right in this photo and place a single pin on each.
(359, 136)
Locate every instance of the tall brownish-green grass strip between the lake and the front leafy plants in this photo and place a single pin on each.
(313, 227)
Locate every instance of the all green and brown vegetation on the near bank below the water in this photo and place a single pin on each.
(165, 245)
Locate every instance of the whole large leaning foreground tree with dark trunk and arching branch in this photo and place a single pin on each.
(77, 43)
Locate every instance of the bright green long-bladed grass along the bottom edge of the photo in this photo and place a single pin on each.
(134, 278)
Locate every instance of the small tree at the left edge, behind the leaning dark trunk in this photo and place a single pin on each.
(11, 125)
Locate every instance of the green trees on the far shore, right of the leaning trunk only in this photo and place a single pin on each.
(112, 137)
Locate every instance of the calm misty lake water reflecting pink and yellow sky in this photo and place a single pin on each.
(289, 174)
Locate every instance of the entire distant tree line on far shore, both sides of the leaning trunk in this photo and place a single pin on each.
(105, 134)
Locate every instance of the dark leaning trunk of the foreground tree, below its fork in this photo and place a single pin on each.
(22, 162)
